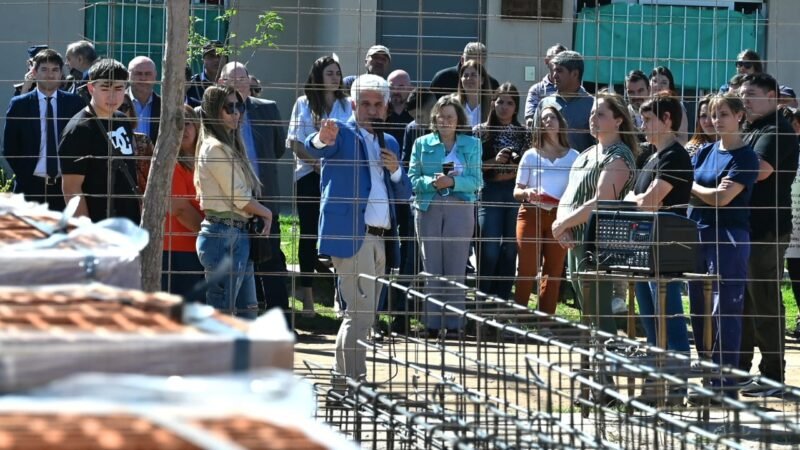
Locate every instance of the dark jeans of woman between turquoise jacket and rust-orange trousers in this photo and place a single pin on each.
(497, 243)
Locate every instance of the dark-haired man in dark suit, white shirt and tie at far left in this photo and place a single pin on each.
(31, 145)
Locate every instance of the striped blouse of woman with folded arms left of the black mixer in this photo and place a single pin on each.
(585, 174)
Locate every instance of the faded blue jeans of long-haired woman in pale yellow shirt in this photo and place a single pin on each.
(233, 290)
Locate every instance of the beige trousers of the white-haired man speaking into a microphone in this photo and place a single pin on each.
(361, 295)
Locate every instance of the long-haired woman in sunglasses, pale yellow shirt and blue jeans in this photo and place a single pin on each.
(227, 188)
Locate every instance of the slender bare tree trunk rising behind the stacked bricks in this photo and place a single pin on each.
(159, 184)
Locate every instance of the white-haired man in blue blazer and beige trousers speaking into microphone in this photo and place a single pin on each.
(361, 181)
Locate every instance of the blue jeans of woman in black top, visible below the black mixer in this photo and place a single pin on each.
(677, 333)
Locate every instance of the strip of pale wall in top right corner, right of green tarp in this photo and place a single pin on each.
(783, 58)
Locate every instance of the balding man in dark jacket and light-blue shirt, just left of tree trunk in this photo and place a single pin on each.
(142, 73)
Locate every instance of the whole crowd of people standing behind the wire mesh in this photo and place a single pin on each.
(388, 175)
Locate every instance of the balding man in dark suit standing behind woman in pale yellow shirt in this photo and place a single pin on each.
(265, 138)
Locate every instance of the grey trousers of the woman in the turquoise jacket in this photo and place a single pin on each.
(445, 232)
